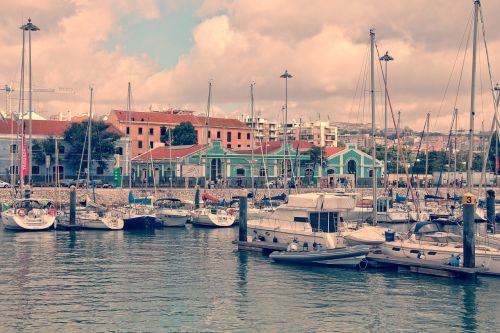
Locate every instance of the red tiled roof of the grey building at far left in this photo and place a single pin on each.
(44, 127)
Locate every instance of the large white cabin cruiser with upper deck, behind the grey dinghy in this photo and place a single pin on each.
(308, 219)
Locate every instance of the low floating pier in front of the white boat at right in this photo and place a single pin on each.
(422, 266)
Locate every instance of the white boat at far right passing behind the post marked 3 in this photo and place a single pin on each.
(428, 241)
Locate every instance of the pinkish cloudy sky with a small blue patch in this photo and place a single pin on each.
(170, 49)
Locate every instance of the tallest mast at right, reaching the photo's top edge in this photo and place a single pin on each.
(472, 97)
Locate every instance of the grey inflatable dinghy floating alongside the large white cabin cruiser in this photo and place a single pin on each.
(339, 257)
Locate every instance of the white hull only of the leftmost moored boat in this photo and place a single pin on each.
(35, 220)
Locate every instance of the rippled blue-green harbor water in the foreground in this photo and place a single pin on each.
(193, 280)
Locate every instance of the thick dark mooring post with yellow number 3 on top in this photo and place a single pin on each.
(468, 206)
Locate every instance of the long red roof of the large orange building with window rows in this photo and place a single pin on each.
(169, 118)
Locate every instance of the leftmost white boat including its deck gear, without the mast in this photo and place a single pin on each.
(29, 215)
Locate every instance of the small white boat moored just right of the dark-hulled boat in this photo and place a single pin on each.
(170, 212)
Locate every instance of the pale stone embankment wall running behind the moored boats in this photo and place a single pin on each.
(116, 197)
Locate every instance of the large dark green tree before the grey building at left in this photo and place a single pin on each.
(103, 143)
